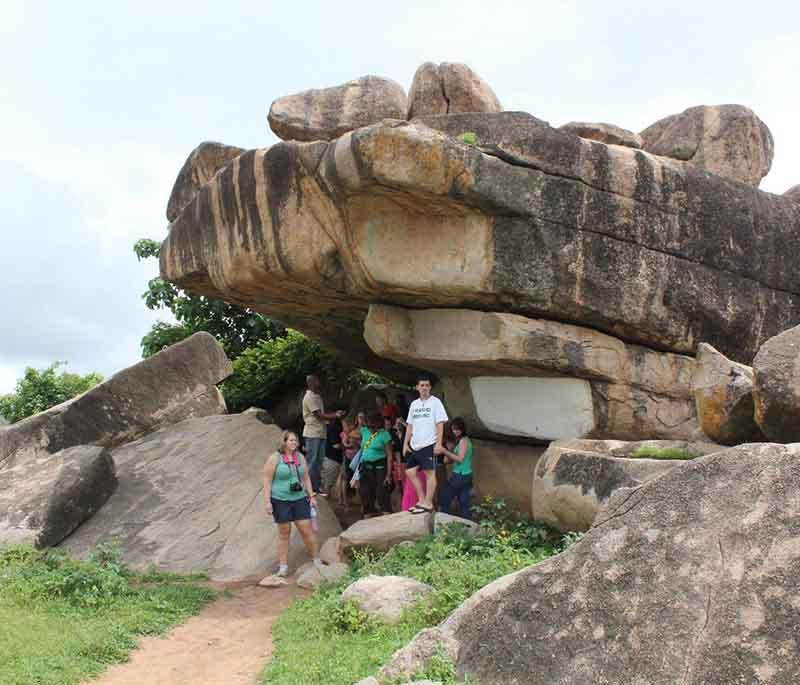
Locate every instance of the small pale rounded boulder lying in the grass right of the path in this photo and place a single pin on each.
(386, 597)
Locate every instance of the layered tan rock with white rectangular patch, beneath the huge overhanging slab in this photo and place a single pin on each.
(509, 375)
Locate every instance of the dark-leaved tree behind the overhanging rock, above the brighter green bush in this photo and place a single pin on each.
(236, 328)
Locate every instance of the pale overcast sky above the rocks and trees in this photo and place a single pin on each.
(101, 102)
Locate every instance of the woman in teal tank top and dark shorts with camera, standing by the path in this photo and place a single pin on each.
(289, 495)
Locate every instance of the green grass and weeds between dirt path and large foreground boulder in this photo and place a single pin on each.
(322, 639)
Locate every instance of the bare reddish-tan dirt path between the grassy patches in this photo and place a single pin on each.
(228, 643)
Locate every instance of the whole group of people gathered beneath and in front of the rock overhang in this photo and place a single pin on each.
(394, 458)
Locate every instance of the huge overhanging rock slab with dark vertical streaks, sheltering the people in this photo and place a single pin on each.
(536, 222)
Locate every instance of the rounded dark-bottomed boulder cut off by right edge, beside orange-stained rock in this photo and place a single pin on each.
(776, 387)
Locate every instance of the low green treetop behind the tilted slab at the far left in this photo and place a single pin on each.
(40, 389)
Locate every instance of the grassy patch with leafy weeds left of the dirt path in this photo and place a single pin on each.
(63, 620)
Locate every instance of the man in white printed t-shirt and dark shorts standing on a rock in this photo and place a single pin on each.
(423, 443)
